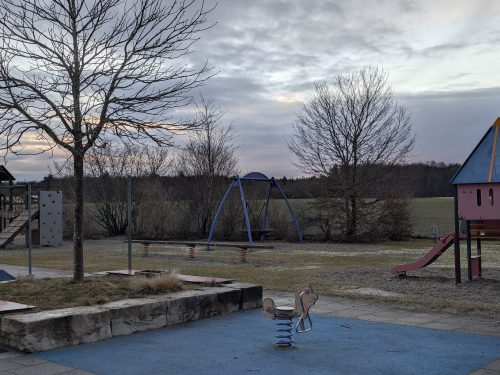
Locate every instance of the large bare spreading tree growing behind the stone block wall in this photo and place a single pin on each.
(73, 72)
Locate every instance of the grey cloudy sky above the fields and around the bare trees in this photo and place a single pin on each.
(442, 58)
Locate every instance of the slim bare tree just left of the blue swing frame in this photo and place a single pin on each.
(208, 157)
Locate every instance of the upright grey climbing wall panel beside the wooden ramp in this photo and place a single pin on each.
(50, 203)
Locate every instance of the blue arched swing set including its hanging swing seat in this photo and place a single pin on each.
(254, 226)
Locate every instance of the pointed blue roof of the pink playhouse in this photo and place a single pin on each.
(483, 164)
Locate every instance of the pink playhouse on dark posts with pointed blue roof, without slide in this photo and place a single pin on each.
(477, 200)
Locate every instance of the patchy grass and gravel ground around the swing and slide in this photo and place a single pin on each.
(354, 270)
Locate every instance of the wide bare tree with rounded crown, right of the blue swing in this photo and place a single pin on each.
(349, 131)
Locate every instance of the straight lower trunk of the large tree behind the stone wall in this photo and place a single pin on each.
(78, 225)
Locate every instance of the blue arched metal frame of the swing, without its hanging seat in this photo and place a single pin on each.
(237, 183)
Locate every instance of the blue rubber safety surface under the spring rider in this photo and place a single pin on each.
(242, 343)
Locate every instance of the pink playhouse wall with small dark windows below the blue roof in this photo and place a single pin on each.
(479, 201)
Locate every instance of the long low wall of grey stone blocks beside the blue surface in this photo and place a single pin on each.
(46, 330)
